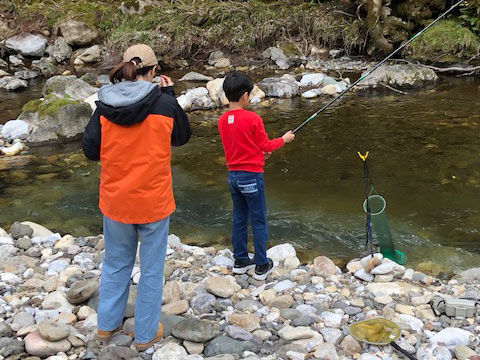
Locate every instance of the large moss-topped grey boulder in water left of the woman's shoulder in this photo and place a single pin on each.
(55, 119)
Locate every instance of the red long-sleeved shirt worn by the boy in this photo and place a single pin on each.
(245, 140)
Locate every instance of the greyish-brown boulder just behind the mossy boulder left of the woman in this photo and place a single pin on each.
(68, 86)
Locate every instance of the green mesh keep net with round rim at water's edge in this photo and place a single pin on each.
(379, 221)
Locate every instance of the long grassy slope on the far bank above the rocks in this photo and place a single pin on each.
(186, 28)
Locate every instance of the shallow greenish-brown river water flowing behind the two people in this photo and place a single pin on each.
(424, 159)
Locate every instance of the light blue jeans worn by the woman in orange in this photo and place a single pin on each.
(121, 241)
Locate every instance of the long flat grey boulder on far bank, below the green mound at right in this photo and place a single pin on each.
(405, 75)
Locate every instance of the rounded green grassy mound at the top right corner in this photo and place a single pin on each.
(447, 42)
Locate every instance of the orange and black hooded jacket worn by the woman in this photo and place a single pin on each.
(133, 143)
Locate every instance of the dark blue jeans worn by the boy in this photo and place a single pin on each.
(248, 195)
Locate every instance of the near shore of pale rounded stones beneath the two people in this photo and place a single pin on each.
(49, 295)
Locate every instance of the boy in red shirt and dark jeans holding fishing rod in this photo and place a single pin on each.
(246, 146)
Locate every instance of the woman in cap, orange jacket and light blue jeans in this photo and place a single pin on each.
(131, 133)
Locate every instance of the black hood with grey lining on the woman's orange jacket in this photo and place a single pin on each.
(127, 102)
